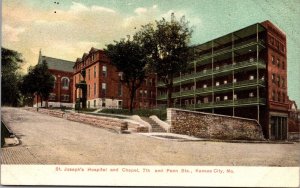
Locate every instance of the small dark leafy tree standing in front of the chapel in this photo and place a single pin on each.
(38, 81)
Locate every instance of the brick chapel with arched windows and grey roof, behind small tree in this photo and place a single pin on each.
(62, 72)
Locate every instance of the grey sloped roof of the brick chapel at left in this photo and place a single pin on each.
(58, 64)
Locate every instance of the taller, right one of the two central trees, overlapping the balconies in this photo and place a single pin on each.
(166, 42)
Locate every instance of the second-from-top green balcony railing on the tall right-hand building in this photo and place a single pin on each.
(223, 70)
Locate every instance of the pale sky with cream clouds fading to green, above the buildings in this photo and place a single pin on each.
(78, 25)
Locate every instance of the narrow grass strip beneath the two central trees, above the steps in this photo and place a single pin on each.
(160, 113)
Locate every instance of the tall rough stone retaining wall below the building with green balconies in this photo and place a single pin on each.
(213, 126)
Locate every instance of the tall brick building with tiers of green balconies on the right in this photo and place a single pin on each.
(243, 73)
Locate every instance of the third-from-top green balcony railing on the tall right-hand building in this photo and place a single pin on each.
(242, 85)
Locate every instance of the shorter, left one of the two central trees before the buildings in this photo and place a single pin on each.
(130, 59)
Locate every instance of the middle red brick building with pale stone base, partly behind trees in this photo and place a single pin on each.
(104, 86)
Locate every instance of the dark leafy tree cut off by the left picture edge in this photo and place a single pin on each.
(10, 63)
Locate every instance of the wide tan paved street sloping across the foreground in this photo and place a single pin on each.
(50, 140)
